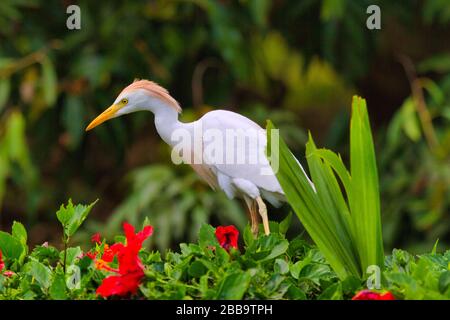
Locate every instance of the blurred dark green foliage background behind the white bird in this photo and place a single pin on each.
(297, 62)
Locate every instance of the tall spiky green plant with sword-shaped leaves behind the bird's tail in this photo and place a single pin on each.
(344, 222)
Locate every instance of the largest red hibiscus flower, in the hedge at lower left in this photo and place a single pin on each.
(131, 270)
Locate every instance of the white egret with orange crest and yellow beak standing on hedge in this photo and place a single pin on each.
(210, 154)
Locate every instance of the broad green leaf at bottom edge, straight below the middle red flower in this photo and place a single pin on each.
(233, 286)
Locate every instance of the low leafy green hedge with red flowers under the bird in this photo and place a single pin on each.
(268, 267)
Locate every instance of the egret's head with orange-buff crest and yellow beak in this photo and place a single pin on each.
(140, 95)
